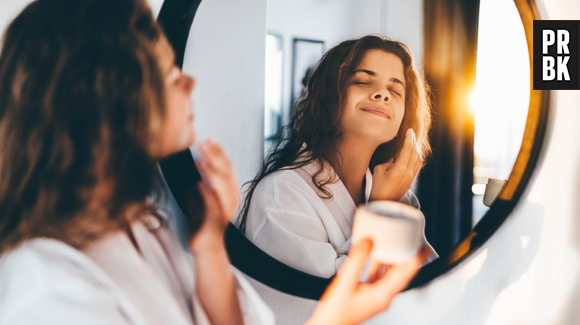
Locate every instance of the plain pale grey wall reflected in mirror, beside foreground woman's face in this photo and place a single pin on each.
(226, 53)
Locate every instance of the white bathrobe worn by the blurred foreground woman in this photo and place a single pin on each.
(45, 281)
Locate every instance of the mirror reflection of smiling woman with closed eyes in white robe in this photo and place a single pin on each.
(365, 108)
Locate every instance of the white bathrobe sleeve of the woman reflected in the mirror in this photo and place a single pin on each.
(289, 221)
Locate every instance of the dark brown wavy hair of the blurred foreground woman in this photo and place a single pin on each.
(81, 96)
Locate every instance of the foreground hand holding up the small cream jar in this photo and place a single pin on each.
(348, 301)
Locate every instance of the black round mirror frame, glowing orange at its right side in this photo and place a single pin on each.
(176, 17)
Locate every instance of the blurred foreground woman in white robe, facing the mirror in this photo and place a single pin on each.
(90, 99)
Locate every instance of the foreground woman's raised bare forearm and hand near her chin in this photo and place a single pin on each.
(215, 283)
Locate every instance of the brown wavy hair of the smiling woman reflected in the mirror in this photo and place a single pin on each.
(316, 117)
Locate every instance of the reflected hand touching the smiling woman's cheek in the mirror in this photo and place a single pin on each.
(392, 181)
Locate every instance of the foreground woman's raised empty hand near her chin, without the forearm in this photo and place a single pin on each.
(219, 192)
